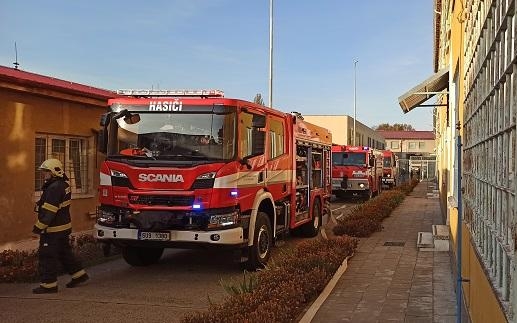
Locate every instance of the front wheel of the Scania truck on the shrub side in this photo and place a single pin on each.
(260, 252)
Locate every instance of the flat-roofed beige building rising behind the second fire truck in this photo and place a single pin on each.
(342, 129)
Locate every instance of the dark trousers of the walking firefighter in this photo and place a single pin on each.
(55, 249)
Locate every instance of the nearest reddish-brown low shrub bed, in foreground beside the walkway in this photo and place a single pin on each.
(285, 287)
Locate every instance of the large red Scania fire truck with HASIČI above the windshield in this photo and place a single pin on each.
(193, 168)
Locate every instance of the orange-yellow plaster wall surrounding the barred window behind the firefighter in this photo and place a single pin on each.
(23, 116)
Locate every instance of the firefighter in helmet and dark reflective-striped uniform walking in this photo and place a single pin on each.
(54, 228)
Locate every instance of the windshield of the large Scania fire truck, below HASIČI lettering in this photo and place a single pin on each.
(199, 135)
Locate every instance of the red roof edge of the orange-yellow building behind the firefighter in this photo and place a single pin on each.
(28, 78)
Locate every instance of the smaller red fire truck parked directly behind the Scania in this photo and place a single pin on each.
(356, 171)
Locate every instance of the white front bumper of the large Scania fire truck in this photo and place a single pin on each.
(233, 236)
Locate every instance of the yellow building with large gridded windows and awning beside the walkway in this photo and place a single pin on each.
(475, 82)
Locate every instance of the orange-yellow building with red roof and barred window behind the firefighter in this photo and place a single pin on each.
(43, 117)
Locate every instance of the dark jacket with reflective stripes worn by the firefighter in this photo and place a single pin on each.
(53, 208)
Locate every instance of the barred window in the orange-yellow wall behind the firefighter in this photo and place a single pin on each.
(72, 152)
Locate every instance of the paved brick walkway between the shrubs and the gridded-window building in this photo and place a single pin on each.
(396, 283)
